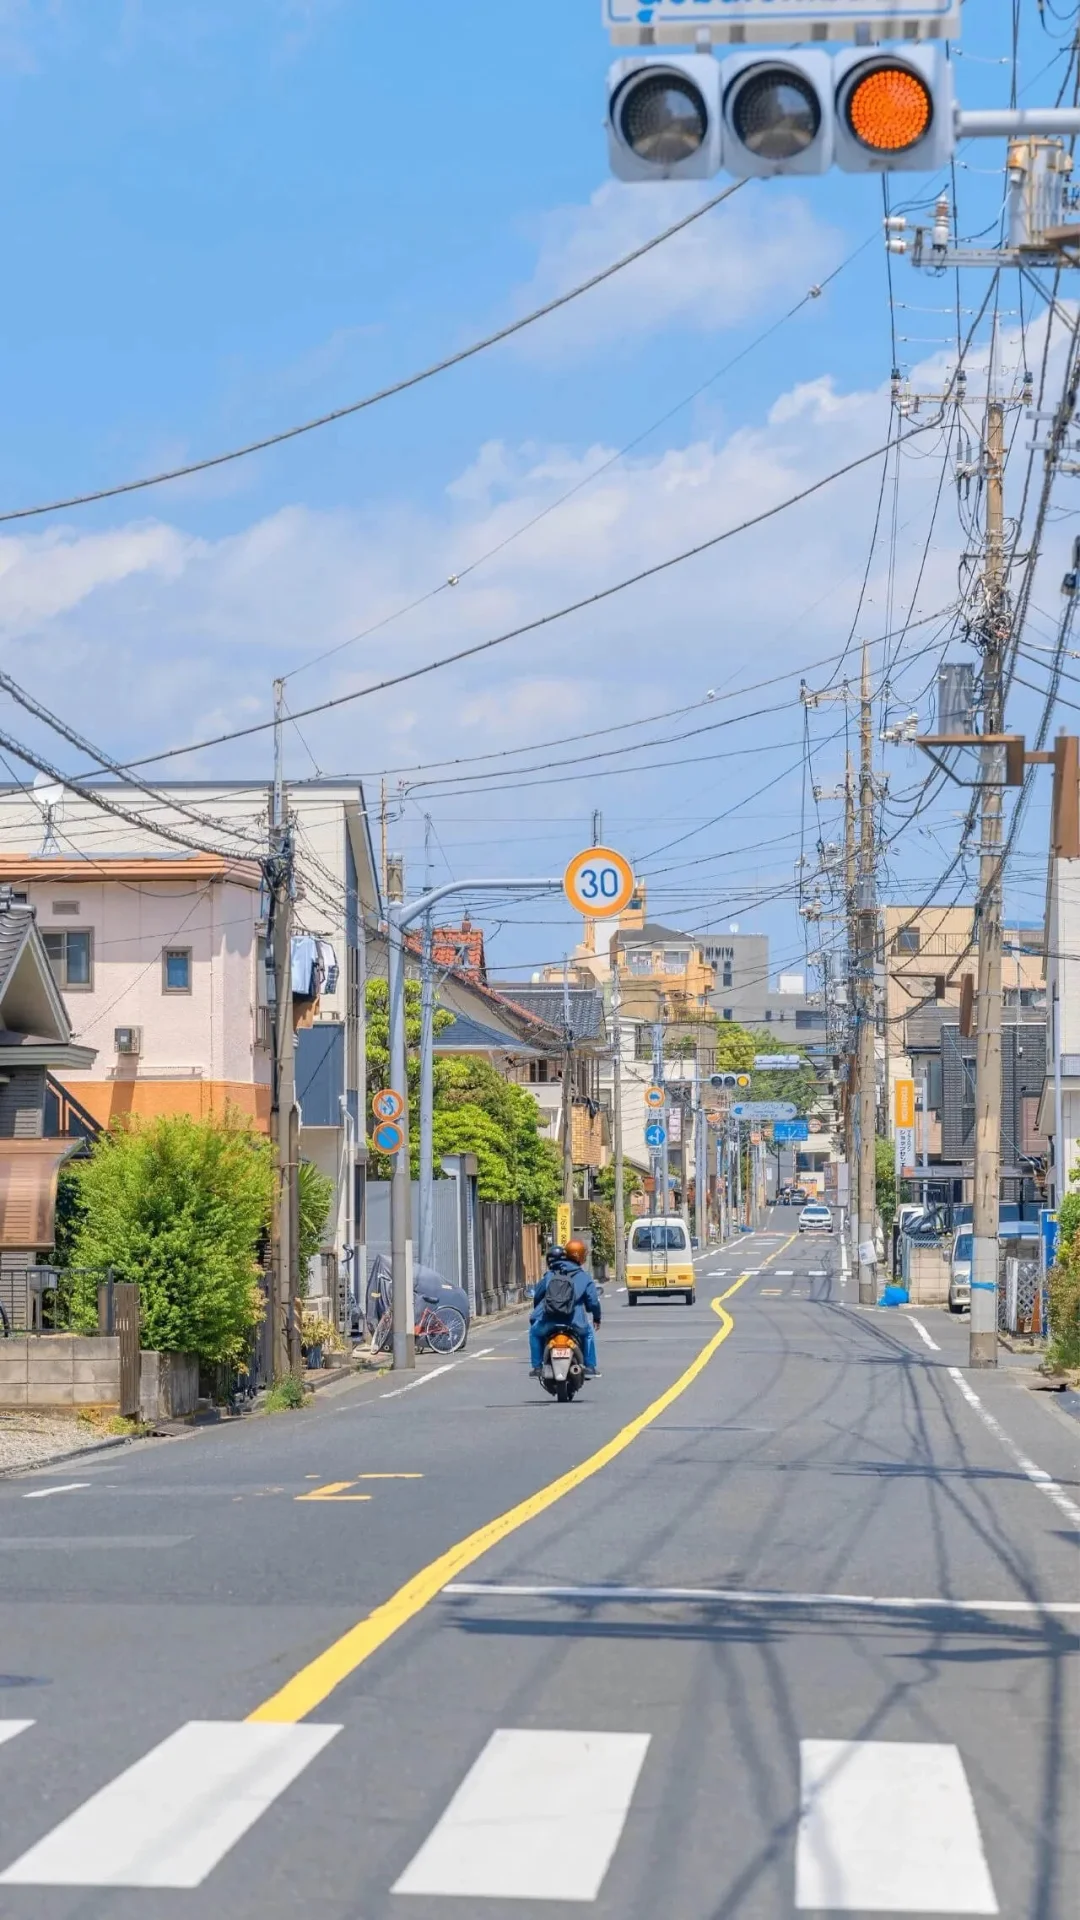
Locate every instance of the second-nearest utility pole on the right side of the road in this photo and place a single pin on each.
(866, 1017)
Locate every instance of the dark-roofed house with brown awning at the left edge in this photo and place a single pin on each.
(36, 1047)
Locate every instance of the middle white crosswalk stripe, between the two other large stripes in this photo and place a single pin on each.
(516, 1831)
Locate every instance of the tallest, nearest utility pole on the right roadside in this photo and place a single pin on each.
(983, 1347)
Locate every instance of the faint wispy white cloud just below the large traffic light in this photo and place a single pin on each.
(716, 274)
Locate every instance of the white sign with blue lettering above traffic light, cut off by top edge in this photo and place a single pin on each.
(793, 22)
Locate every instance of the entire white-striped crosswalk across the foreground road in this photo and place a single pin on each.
(885, 1827)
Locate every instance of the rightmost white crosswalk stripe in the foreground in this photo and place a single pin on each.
(889, 1827)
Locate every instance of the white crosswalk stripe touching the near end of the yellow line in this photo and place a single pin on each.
(172, 1817)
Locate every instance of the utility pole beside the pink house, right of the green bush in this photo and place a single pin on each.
(280, 876)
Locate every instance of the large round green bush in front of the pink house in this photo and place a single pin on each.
(178, 1207)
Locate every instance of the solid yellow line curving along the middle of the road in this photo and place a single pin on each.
(318, 1681)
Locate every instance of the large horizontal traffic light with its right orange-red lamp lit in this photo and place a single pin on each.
(798, 112)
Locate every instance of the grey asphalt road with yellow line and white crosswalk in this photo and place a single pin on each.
(802, 1641)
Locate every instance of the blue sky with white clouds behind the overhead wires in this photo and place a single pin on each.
(222, 220)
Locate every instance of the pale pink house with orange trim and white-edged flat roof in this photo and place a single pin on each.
(155, 919)
